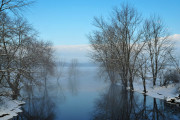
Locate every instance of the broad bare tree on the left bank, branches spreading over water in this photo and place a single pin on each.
(22, 57)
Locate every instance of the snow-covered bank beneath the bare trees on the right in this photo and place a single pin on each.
(167, 93)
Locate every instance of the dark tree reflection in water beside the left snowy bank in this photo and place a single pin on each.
(38, 106)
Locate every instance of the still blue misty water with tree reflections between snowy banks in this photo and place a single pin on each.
(82, 95)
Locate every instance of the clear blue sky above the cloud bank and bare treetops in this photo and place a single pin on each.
(67, 22)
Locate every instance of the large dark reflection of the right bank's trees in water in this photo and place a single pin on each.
(120, 104)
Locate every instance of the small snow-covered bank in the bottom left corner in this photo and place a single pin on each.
(9, 108)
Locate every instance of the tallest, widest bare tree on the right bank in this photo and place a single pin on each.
(117, 44)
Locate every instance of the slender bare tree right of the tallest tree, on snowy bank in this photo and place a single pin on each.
(159, 46)
